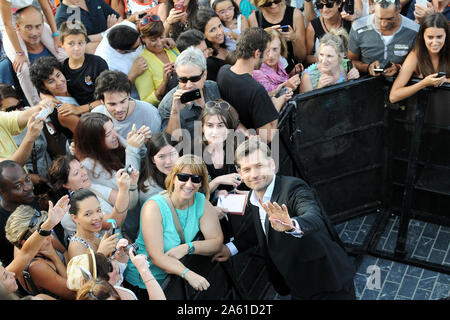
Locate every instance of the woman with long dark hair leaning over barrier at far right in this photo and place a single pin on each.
(430, 56)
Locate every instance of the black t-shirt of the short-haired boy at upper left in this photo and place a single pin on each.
(81, 81)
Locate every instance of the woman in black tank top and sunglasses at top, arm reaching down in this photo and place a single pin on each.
(289, 21)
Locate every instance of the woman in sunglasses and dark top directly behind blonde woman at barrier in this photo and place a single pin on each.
(330, 18)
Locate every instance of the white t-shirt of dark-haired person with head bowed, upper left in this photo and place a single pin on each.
(115, 60)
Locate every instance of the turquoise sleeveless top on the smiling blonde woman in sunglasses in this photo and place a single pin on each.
(190, 223)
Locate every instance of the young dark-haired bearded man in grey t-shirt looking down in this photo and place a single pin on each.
(113, 88)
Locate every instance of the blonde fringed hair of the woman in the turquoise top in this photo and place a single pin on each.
(195, 165)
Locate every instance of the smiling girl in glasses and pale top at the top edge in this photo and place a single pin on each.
(234, 22)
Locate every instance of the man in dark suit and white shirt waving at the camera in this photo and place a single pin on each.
(304, 256)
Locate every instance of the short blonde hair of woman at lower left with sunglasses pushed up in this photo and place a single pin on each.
(17, 226)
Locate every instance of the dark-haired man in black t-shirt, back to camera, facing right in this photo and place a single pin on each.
(257, 110)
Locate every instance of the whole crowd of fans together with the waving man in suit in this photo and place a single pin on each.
(123, 126)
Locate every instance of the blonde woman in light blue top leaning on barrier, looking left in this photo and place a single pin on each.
(332, 67)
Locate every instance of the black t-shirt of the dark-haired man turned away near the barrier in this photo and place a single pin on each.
(248, 97)
